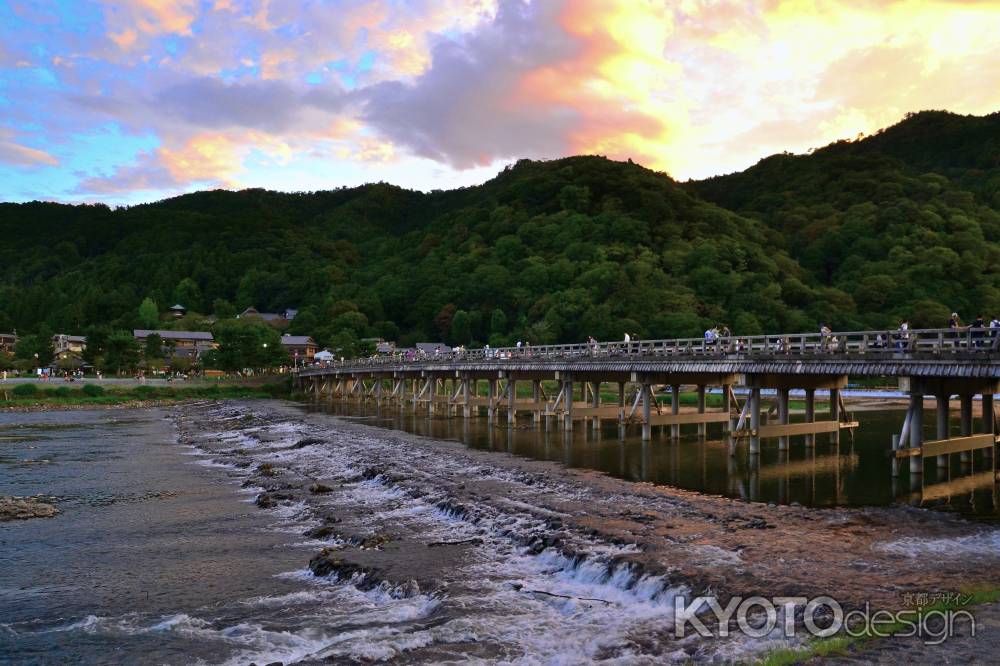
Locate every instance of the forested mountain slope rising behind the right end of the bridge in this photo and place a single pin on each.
(905, 222)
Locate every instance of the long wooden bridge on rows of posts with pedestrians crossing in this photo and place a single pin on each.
(939, 363)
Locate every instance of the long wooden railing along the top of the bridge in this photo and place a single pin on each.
(925, 341)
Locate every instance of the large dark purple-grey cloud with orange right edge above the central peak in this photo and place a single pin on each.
(463, 110)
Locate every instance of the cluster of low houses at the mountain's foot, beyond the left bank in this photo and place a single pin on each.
(170, 351)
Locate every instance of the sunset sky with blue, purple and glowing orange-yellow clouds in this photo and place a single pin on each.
(127, 101)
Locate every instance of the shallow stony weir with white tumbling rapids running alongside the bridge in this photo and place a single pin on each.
(405, 512)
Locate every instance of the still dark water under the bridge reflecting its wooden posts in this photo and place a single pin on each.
(852, 470)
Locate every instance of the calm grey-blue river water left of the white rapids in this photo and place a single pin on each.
(146, 537)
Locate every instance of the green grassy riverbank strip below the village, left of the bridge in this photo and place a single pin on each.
(29, 396)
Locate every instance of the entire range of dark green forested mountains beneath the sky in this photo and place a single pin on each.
(904, 223)
